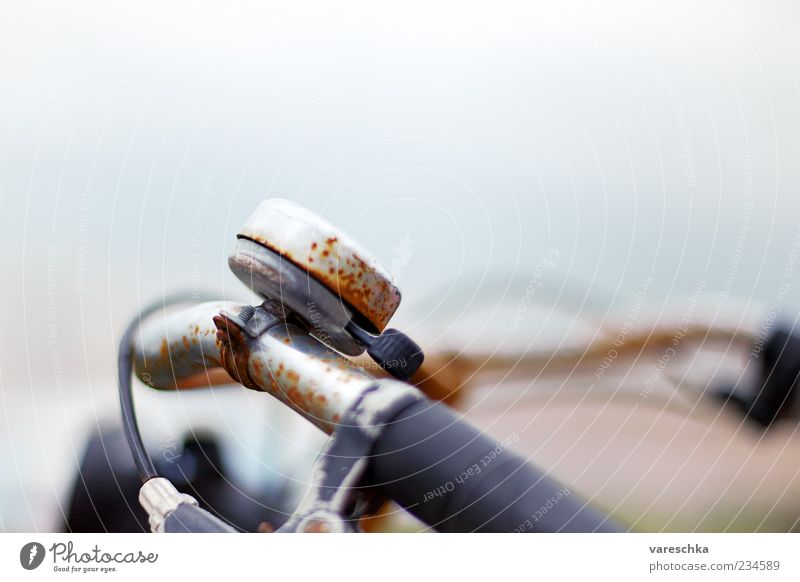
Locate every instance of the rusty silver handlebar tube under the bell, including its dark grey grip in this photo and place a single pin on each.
(427, 459)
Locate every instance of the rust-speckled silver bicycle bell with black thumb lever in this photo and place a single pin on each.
(286, 253)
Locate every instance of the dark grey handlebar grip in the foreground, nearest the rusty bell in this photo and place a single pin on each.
(457, 479)
